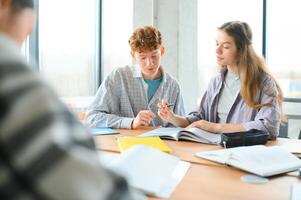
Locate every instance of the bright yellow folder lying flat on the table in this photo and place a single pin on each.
(125, 143)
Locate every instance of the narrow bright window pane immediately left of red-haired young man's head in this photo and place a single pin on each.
(117, 28)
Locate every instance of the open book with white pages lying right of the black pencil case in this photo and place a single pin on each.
(258, 159)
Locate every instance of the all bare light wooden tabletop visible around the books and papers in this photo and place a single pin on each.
(207, 180)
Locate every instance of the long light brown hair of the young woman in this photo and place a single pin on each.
(252, 68)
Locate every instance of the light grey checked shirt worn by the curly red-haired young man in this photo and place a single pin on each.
(123, 94)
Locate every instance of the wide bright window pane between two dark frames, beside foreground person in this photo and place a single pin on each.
(68, 45)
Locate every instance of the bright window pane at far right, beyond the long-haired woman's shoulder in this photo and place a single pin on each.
(283, 43)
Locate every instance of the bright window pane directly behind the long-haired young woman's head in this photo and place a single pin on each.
(212, 14)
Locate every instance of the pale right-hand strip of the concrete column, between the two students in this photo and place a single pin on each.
(188, 53)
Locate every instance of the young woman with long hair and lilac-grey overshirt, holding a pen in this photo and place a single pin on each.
(243, 96)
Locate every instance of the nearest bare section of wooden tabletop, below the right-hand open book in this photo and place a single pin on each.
(216, 183)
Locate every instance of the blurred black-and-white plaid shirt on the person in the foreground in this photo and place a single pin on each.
(45, 153)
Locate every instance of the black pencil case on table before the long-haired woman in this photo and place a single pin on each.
(245, 138)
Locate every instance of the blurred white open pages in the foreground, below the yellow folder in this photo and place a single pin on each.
(149, 170)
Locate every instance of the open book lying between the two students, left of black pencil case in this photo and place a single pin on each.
(191, 134)
